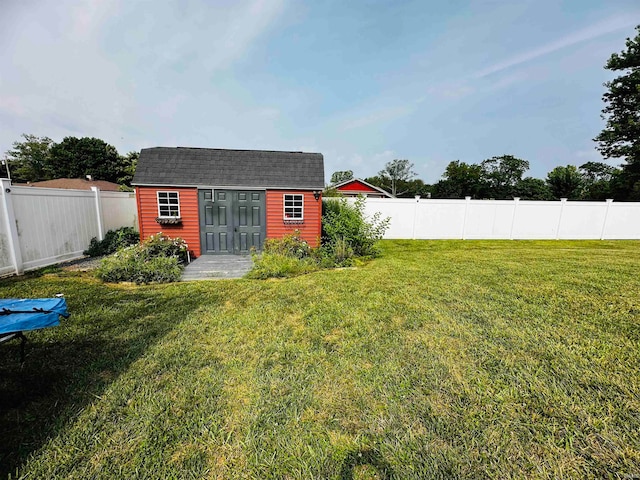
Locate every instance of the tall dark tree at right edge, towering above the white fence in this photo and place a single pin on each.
(621, 135)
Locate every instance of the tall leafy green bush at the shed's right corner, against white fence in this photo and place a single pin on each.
(347, 232)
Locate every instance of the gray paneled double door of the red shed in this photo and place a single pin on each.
(231, 221)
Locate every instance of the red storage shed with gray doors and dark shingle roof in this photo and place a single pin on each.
(228, 201)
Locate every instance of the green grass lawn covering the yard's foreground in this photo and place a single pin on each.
(441, 359)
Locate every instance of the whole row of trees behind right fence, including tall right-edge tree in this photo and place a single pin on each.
(502, 177)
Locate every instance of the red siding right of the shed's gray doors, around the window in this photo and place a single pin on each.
(276, 226)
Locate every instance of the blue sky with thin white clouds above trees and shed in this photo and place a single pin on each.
(362, 82)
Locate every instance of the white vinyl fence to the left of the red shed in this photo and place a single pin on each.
(43, 226)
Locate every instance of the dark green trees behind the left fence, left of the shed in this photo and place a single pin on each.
(35, 159)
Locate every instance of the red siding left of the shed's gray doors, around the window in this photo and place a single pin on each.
(189, 230)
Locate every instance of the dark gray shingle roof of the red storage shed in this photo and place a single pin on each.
(229, 168)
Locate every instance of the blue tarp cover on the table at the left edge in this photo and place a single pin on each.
(31, 314)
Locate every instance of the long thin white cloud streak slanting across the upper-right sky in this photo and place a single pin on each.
(607, 26)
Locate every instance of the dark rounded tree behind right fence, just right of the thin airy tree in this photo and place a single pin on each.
(460, 180)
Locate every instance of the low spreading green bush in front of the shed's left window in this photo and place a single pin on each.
(159, 259)
